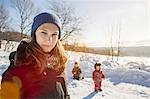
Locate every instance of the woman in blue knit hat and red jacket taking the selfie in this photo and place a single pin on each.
(39, 67)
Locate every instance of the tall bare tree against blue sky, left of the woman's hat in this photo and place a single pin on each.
(25, 10)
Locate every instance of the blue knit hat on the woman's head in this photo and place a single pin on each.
(45, 18)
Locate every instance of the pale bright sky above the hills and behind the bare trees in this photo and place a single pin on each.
(102, 20)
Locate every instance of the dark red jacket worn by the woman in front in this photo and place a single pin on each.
(34, 85)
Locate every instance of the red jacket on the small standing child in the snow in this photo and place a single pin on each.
(97, 76)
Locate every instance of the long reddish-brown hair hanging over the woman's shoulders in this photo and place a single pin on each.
(34, 55)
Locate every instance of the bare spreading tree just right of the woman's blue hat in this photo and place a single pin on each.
(71, 24)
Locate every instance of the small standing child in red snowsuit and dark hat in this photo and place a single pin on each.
(97, 77)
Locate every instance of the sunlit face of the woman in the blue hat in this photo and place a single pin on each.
(47, 36)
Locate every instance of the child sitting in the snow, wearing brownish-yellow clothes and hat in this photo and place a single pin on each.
(76, 71)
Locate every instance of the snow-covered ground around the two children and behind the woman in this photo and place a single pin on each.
(127, 78)
